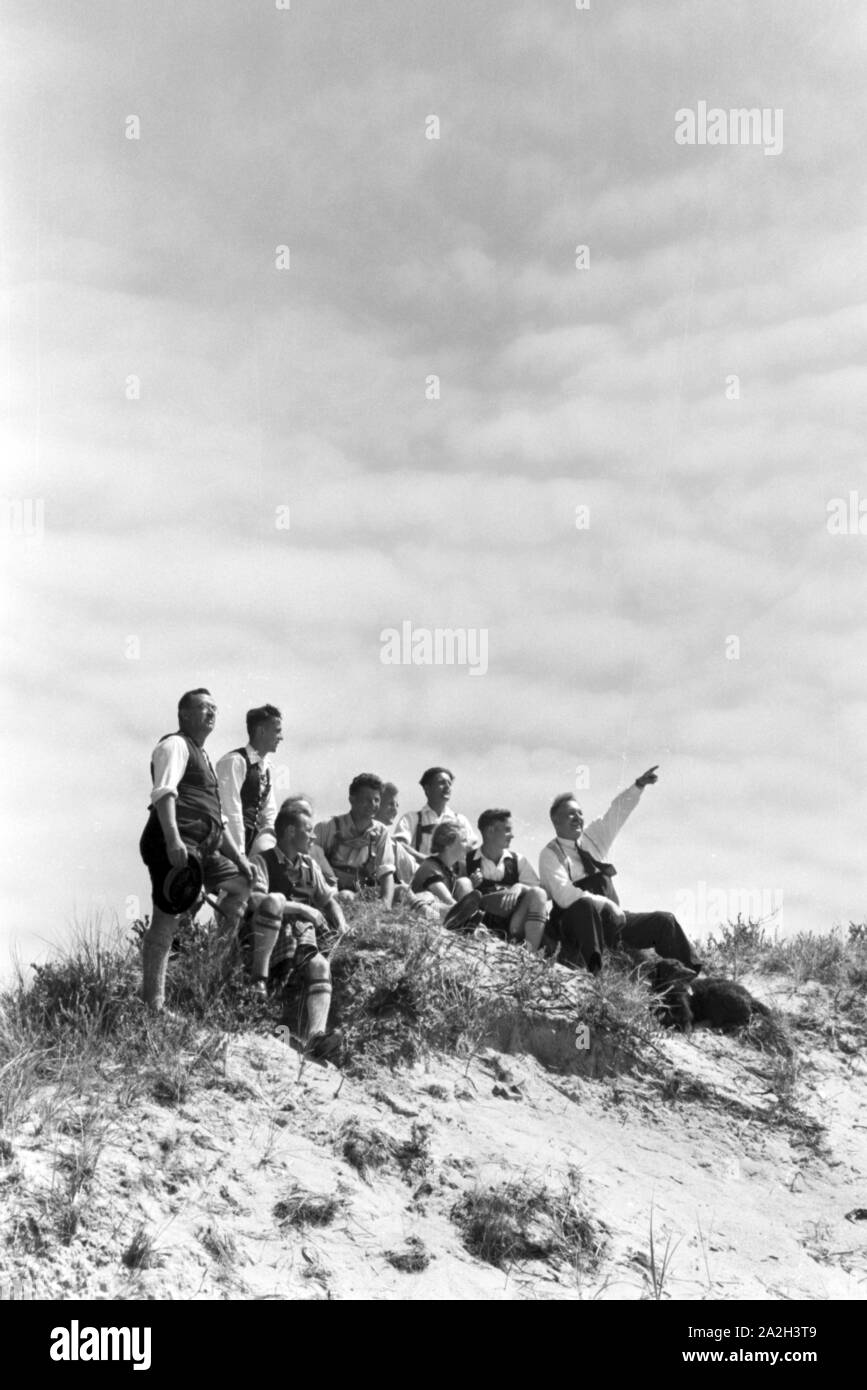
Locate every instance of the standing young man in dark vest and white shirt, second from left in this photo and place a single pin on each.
(247, 786)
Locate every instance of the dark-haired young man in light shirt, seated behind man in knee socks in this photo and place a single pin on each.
(358, 847)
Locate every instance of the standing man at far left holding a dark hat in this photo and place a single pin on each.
(187, 818)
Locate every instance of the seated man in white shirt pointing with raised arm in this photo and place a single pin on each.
(587, 915)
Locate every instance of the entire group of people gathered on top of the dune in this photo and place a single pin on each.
(283, 878)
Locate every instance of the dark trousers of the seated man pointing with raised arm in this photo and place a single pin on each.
(584, 933)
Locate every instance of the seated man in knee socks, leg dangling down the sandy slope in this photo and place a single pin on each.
(295, 922)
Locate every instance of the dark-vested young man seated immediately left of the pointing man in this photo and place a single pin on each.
(512, 897)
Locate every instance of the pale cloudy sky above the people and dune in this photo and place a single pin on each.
(698, 384)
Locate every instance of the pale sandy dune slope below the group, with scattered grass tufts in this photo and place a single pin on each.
(750, 1195)
